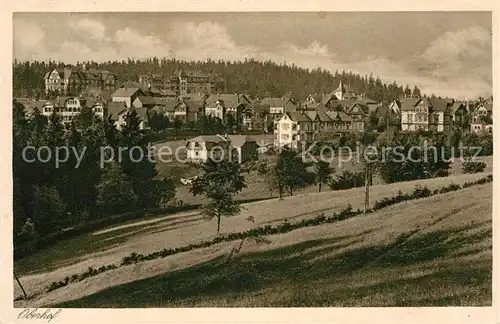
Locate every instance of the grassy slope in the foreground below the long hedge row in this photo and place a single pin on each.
(432, 257)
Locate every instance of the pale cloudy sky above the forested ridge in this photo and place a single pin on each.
(445, 53)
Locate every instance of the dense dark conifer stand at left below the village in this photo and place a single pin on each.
(51, 196)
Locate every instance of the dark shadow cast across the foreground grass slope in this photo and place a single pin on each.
(299, 268)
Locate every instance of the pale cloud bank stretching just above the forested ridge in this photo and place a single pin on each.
(456, 63)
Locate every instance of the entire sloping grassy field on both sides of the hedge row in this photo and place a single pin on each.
(415, 253)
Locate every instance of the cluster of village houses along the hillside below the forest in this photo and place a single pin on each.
(188, 97)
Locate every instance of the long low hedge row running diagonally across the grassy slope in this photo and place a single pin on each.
(133, 258)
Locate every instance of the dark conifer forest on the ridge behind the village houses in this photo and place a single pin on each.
(261, 79)
